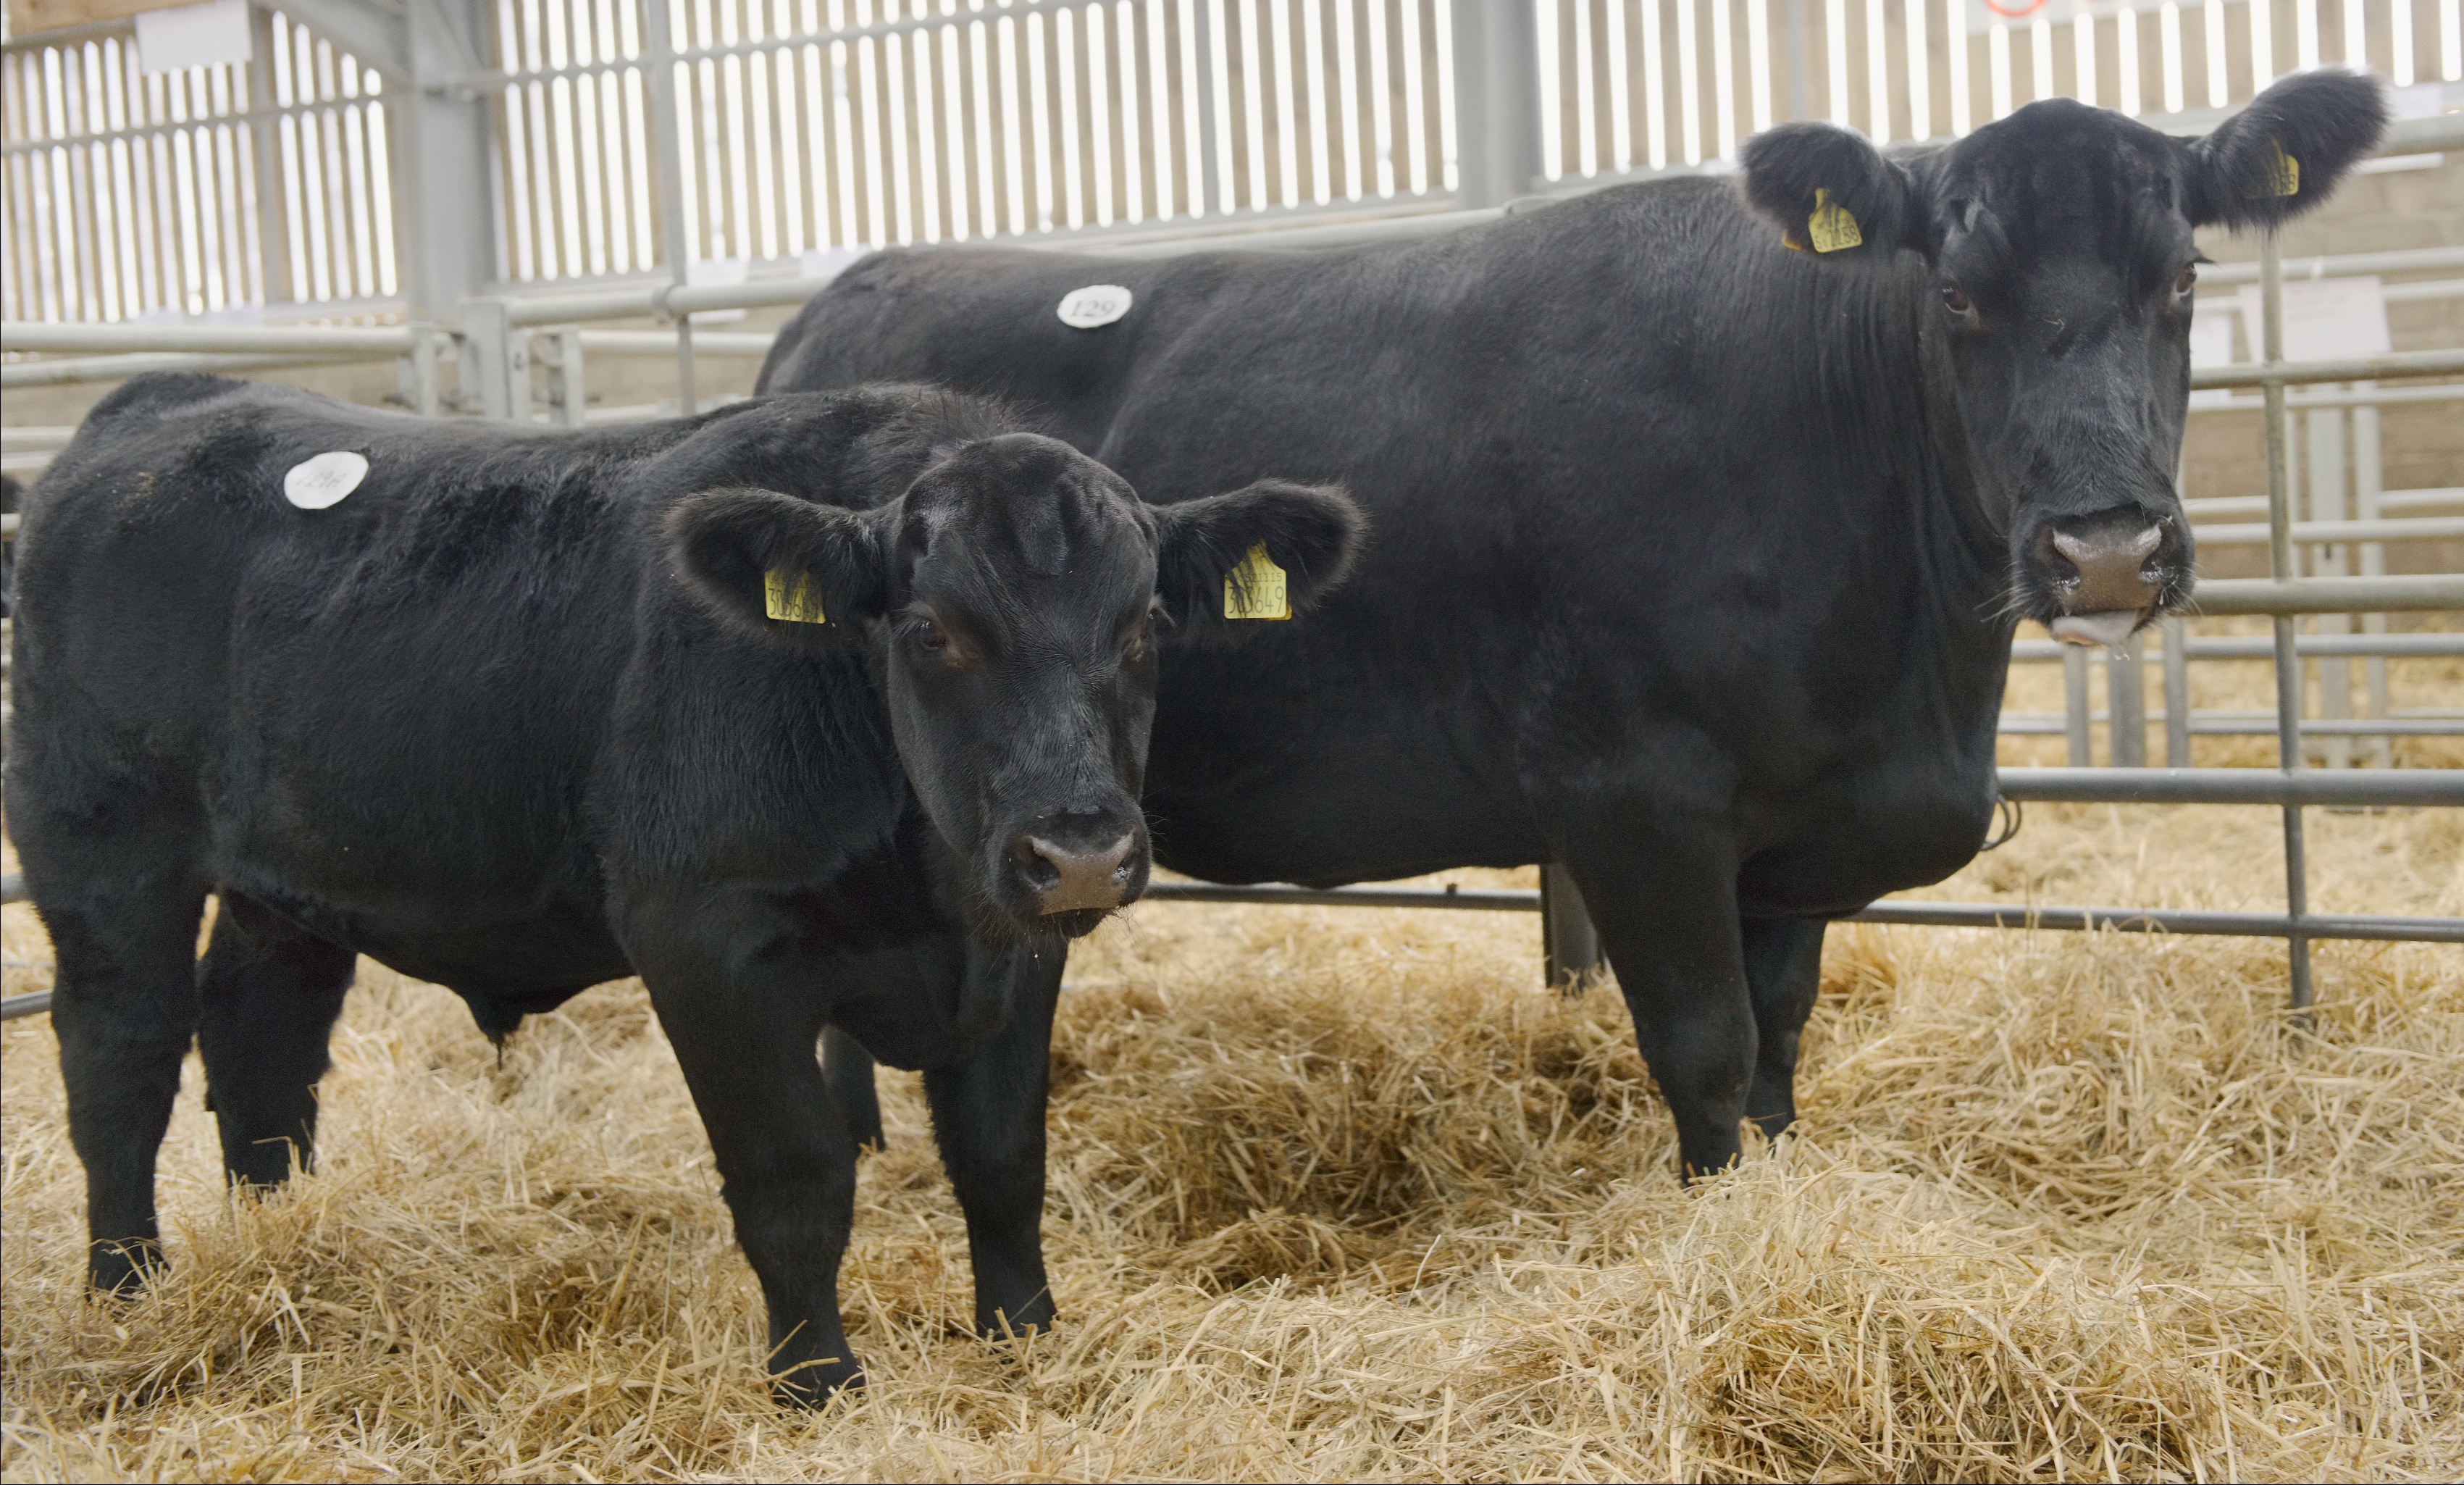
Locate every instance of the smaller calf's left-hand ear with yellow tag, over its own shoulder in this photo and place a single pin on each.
(777, 565)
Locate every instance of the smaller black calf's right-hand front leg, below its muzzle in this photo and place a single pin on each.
(989, 1117)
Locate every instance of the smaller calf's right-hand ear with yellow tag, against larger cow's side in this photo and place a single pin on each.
(1209, 553)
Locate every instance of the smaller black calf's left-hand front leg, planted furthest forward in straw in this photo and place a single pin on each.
(745, 1031)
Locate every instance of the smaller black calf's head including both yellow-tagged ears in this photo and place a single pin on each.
(1014, 595)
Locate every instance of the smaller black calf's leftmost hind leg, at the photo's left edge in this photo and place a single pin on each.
(124, 1008)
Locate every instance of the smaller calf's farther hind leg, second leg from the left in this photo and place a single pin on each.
(270, 996)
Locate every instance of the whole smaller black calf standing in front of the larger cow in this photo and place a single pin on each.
(812, 713)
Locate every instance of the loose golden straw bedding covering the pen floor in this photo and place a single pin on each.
(1352, 1196)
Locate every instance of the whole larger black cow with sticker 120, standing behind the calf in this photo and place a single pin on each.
(1706, 516)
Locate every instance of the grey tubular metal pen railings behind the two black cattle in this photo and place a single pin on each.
(494, 344)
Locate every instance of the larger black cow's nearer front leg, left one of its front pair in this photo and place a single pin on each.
(1667, 912)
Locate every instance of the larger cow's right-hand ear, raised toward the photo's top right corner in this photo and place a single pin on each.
(2288, 151)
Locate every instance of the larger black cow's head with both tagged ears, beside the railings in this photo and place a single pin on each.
(2061, 277)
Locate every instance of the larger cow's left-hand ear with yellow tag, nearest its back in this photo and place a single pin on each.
(1827, 191)
